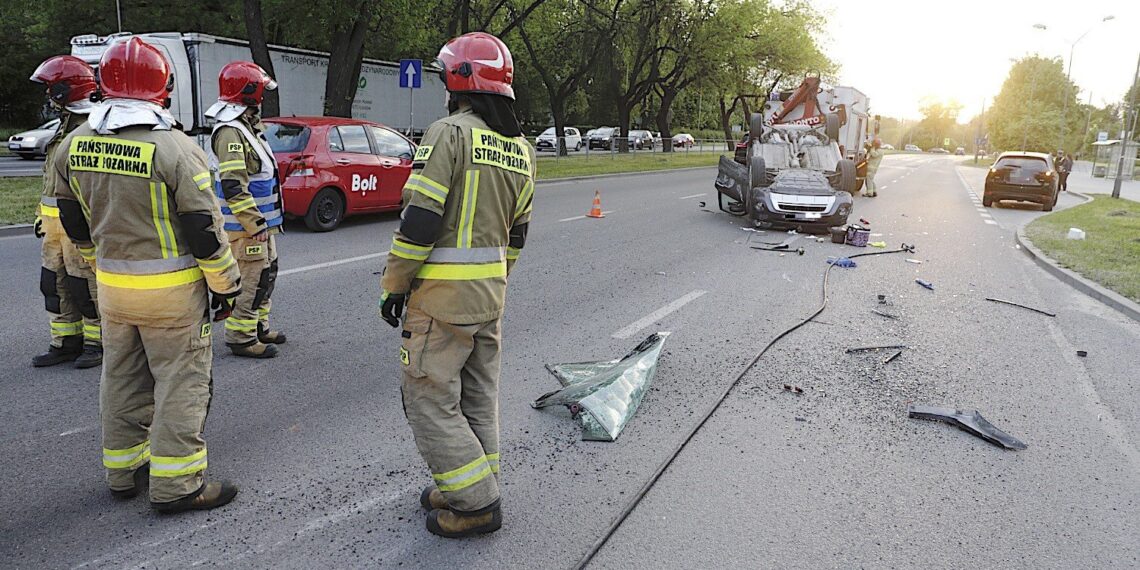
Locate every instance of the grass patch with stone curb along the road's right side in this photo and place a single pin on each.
(1105, 264)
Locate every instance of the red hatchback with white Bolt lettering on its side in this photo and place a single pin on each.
(332, 168)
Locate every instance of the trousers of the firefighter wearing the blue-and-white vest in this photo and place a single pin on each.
(258, 264)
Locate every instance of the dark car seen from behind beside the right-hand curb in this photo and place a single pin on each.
(1022, 177)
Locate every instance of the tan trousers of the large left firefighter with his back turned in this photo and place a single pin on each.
(154, 396)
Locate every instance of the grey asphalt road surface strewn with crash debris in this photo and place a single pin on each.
(331, 477)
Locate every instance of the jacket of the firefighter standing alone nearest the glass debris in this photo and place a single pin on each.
(483, 185)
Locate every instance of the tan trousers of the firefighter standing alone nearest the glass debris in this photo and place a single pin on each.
(451, 400)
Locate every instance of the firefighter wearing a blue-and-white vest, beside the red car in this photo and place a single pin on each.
(251, 203)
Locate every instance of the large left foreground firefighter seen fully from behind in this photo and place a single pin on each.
(135, 196)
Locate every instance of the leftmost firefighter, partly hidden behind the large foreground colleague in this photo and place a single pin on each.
(67, 280)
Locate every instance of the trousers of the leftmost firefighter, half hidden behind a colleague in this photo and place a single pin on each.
(70, 291)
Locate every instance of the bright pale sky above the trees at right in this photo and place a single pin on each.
(900, 53)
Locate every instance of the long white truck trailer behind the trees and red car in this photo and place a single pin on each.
(198, 59)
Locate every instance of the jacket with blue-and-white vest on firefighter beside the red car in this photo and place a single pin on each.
(247, 177)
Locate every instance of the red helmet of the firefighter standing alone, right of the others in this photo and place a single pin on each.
(477, 63)
